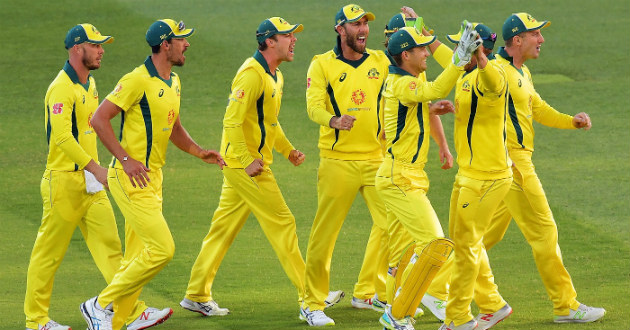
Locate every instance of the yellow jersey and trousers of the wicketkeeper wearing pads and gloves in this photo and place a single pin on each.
(401, 181)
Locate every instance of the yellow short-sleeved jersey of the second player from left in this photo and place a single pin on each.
(150, 107)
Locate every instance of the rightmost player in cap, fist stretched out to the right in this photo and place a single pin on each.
(526, 201)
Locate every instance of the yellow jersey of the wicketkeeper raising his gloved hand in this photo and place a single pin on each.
(407, 126)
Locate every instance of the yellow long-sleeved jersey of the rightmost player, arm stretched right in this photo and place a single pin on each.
(525, 104)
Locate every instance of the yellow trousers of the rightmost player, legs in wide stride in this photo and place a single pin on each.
(527, 204)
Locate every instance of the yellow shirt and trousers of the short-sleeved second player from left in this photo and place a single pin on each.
(150, 107)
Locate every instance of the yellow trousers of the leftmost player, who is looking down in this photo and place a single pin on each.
(67, 205)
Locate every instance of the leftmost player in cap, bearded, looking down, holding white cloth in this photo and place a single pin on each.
(72, 185)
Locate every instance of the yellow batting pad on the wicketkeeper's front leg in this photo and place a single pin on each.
(424, 268)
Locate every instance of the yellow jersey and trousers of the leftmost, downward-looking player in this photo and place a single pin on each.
(68, 107)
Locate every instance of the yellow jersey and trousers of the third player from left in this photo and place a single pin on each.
(251, 130)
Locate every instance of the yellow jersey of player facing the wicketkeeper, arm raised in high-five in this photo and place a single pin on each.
(481, 111)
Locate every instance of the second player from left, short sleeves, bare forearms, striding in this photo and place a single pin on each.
(149, 99)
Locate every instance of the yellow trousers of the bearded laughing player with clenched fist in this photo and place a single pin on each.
(338, 182)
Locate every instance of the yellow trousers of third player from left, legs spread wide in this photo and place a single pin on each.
(240, 196)
